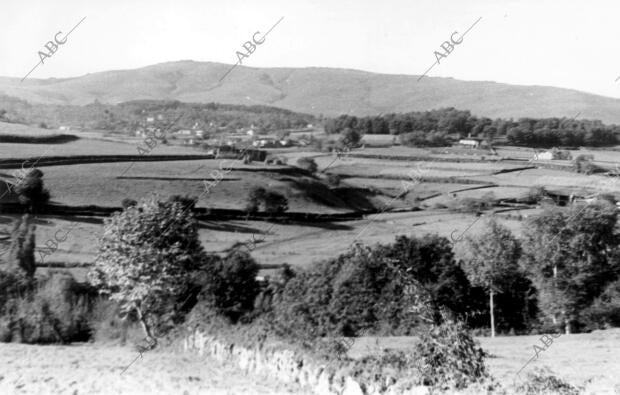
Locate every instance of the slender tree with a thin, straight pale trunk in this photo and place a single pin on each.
(493, 259)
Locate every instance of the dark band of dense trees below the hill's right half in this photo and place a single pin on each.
(436, 127)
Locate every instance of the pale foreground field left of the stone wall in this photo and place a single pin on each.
(94, 369)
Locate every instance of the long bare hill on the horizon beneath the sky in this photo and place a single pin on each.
(313, 90)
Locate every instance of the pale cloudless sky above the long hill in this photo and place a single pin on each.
(569, 44)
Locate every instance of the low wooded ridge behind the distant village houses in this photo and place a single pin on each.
(129, 116)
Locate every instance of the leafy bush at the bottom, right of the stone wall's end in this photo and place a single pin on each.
(448, 357)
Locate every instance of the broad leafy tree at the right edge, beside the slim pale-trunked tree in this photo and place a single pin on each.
(571, 255)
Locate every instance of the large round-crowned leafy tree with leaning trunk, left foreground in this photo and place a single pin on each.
(148, 256)
